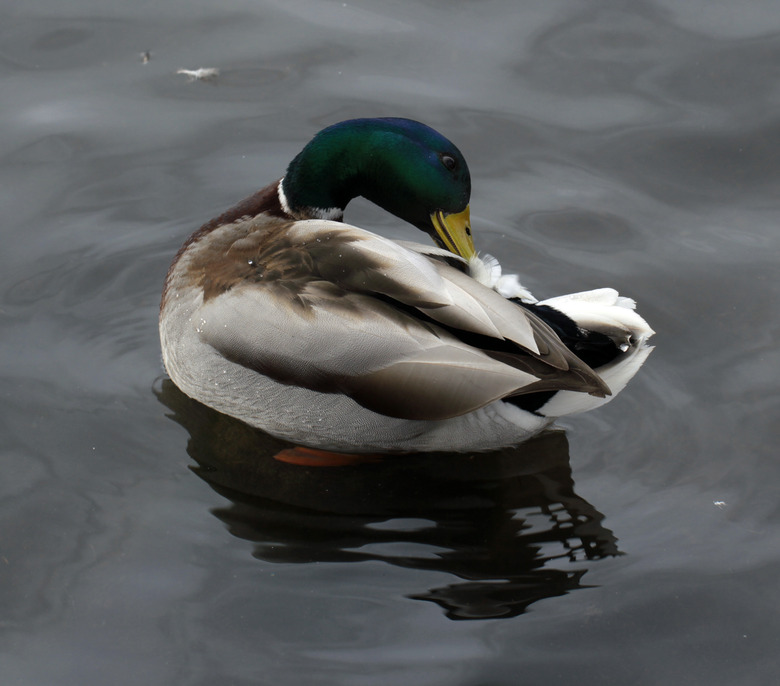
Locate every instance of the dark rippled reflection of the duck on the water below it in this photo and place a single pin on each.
(507, 524)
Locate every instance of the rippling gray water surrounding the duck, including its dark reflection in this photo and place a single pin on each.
(145, 539)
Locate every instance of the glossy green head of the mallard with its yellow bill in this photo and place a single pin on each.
(401, 165)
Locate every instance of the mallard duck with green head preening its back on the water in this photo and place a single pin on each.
(330, 336)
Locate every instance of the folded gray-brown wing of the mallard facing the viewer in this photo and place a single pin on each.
(403, 334)
